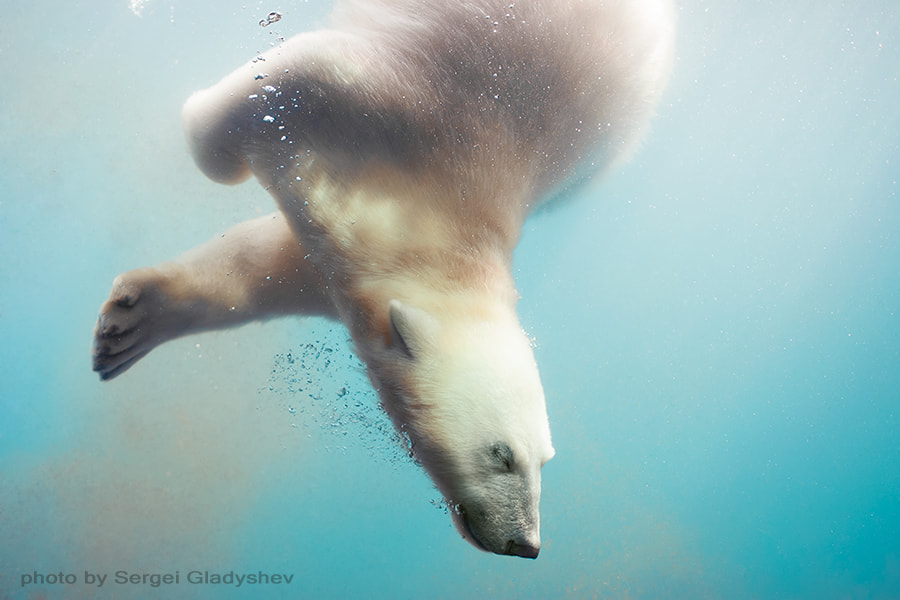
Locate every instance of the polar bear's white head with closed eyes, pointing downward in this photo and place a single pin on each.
(464, 391)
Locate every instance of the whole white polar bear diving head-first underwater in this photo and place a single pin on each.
(404, 147)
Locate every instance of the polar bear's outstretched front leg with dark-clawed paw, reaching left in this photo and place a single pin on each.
(255, 270)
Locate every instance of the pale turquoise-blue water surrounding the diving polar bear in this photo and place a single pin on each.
(717, 328)
